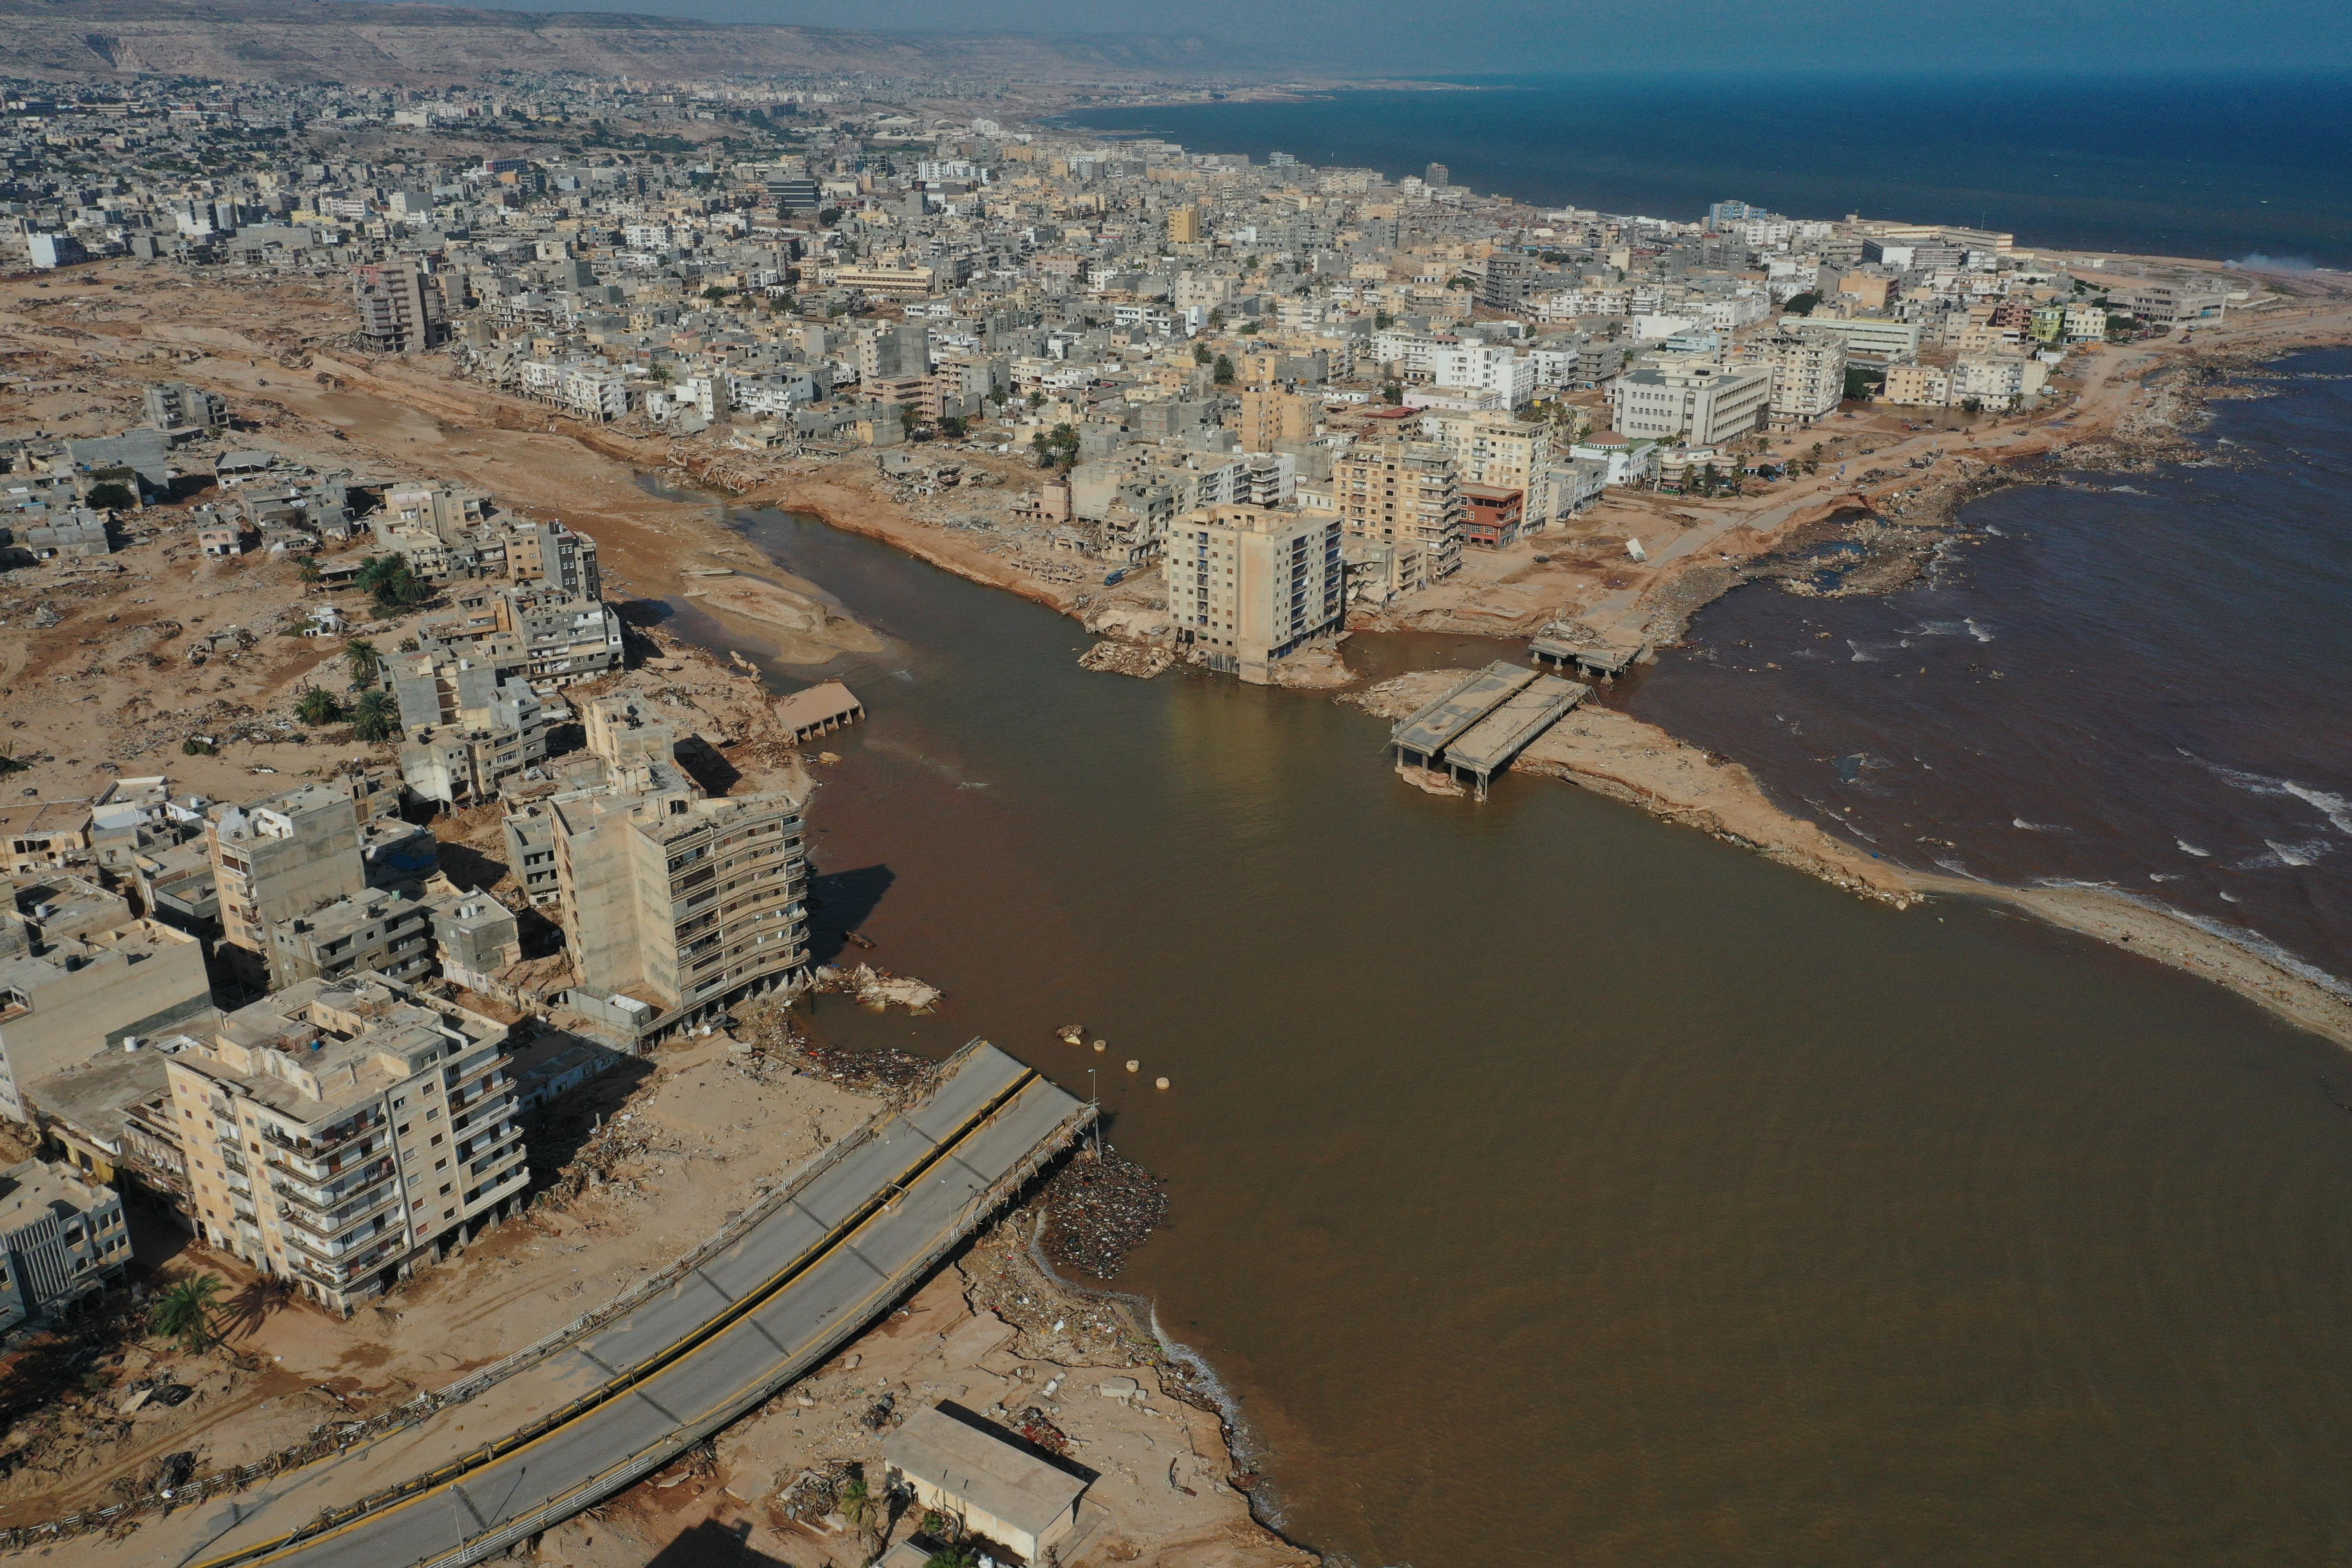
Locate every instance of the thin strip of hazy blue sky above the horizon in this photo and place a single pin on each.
(1570, 34)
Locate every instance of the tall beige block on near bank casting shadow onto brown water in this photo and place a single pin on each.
(679, 902)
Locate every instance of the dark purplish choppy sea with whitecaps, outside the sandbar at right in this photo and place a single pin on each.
(2132, 681)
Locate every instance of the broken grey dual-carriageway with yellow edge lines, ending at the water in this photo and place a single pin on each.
(768, 1311)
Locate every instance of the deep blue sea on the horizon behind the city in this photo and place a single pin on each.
(2177, 166)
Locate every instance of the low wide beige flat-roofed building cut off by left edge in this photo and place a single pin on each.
(86, 993)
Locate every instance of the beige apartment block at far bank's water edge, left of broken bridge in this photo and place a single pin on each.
(1248, 587)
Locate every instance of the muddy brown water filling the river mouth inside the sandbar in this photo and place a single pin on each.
(1561, 1186)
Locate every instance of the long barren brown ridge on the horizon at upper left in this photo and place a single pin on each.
(316, 41)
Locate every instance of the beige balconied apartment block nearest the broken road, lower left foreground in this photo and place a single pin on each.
(342, 1132)
